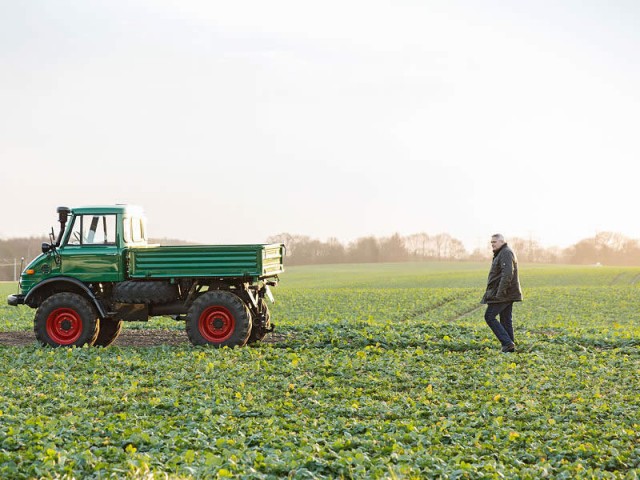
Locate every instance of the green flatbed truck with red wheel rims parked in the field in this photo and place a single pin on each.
(100, 271)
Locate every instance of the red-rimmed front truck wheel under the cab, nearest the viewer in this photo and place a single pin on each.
(66, 319)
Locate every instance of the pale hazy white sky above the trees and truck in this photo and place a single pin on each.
(231, 121)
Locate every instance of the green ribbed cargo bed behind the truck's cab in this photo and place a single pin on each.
(224, 261)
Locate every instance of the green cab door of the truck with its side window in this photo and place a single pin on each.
(91, 253)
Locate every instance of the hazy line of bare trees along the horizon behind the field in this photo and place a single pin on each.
(605, 248)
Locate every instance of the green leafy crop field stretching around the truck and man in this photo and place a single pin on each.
(378, 371)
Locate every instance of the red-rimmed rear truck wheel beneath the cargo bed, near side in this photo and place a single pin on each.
(218, 318)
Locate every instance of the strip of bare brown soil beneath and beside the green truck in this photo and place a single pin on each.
(127, 338)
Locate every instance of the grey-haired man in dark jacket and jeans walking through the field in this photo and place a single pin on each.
(503, 288)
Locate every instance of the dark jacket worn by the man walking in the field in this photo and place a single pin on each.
(503, 284)
